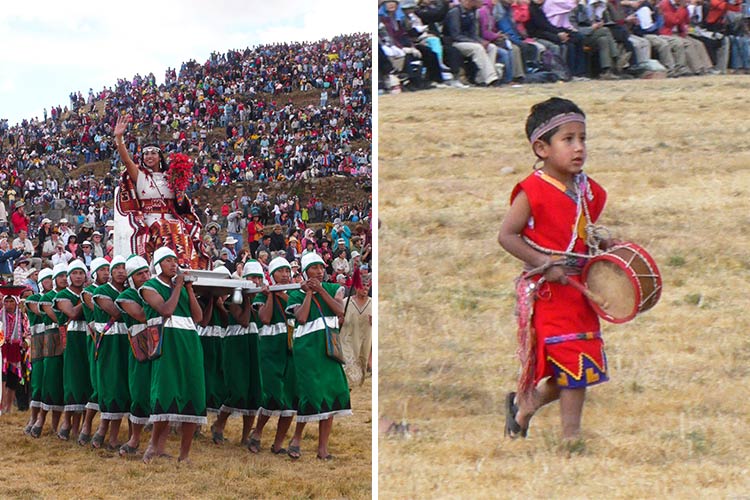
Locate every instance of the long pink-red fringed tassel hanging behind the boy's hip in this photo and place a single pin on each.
(526, 339)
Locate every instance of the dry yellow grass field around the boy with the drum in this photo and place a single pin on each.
(672, 422)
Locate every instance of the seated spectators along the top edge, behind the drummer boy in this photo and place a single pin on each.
(440, 43)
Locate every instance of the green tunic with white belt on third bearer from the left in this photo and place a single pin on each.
(76, 379)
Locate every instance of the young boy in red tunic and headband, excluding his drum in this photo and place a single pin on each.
(549, 227)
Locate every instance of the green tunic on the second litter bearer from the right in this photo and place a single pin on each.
(276, 361)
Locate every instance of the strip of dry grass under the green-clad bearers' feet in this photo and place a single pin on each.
(49, 468)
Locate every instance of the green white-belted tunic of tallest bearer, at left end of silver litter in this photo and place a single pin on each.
(178, 387)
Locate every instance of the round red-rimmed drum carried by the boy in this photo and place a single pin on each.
(625, 282)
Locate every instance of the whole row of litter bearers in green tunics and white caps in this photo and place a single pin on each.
(265, 357)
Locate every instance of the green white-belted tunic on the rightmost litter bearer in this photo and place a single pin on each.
(321, 389)
